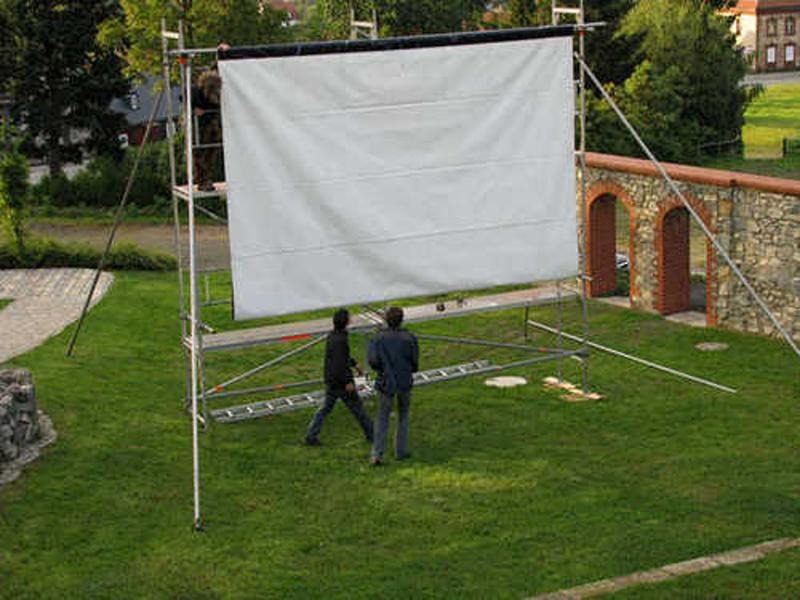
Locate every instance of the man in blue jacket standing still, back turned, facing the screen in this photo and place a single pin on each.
(394, 354)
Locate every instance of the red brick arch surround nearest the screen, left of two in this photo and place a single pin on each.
(603, 189)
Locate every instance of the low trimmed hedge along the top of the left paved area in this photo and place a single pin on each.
(46, 252)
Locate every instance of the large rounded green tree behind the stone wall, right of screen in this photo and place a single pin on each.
(684, 91)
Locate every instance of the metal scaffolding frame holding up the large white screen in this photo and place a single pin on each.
(196, 345)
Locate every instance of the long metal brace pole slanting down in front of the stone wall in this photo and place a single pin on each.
(720, 249)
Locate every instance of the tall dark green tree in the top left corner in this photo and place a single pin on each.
(60, 80)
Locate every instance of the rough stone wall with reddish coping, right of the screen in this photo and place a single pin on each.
(756, 219)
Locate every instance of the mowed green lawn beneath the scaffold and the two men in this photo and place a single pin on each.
(509, 492)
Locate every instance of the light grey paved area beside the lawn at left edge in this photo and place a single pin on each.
(45, 301)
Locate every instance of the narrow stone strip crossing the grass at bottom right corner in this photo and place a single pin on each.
(688, 567)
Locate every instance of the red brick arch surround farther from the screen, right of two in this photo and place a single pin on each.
(664, 209)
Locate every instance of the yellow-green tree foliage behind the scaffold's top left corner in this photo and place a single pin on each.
(135, 33)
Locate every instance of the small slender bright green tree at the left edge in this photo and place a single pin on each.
(14, 188)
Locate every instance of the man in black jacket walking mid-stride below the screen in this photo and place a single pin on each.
(339, 381)
